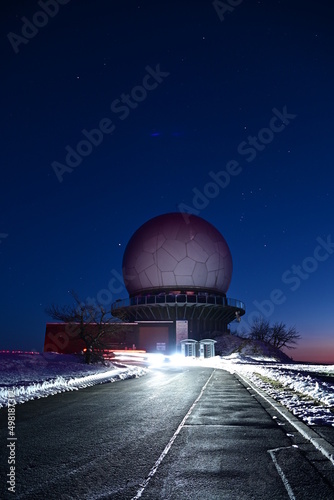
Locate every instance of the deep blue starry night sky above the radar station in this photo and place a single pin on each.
(223, 109)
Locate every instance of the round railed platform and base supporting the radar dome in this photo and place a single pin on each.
(165, 320)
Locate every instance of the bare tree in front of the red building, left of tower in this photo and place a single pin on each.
(88, 322)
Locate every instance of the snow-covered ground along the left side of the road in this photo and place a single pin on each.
(33, 375)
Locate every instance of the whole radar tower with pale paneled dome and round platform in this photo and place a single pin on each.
(177, 269)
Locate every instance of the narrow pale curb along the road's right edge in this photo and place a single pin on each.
(318, 442)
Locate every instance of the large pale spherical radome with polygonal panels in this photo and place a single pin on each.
(177, 251)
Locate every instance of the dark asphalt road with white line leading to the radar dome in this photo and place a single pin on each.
(176, 433)
